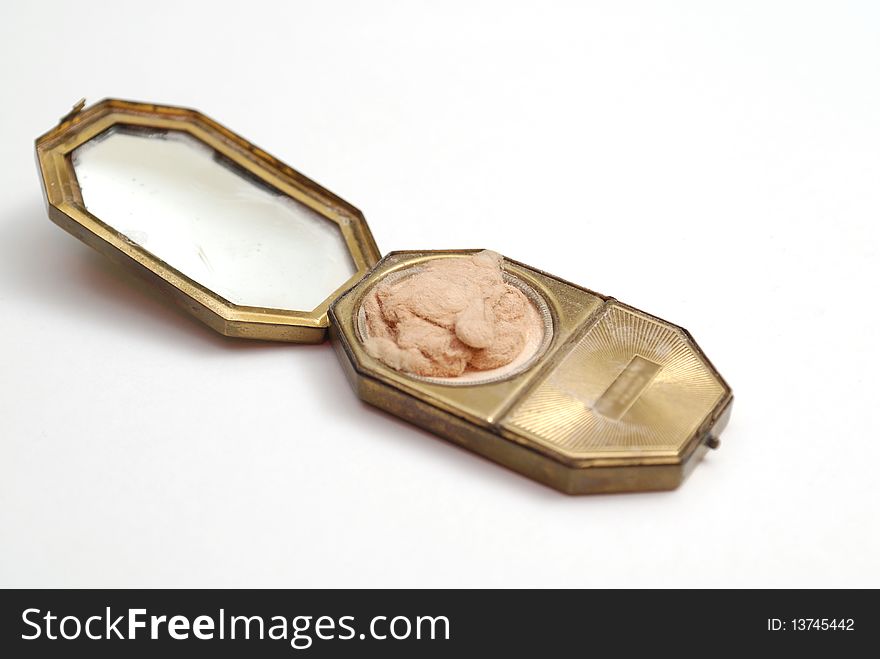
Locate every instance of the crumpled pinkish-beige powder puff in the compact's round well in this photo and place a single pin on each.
(450, 318)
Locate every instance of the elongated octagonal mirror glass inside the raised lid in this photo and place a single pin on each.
(211, 220)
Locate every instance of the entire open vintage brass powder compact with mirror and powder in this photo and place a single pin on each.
(564, 385)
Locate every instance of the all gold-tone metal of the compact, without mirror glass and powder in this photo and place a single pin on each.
(616, 400)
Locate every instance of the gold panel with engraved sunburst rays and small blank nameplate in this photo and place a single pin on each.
(653, 410)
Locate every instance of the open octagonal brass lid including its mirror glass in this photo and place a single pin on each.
(235, 237)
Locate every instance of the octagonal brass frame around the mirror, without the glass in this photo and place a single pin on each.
(66, 208)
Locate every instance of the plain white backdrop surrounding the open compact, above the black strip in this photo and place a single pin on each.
(717, 164)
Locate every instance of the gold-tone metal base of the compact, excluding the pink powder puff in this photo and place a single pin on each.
(620, 401)
